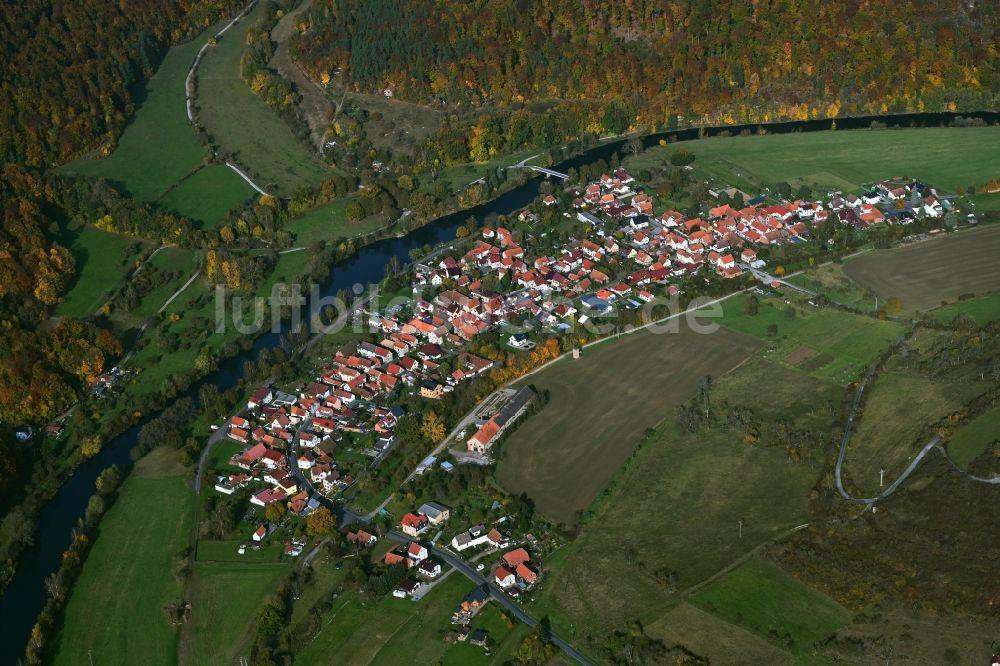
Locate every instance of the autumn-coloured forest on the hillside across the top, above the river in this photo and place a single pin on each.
(647, 63)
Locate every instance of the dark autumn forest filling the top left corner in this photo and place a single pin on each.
(71, 73)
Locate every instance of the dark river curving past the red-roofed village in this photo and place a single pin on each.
(25, 596)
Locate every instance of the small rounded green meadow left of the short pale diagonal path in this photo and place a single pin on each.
(208, 195)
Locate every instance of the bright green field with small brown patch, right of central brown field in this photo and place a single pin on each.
(827, 344)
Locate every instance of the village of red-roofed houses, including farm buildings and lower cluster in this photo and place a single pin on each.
(300, 450)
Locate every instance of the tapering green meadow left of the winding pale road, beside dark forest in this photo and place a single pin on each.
(158, 148)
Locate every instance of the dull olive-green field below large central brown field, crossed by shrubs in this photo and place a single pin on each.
(671, 517)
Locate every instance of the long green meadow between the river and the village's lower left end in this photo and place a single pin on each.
(114, 611)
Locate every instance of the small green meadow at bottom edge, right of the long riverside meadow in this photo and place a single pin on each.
(224, 601)
